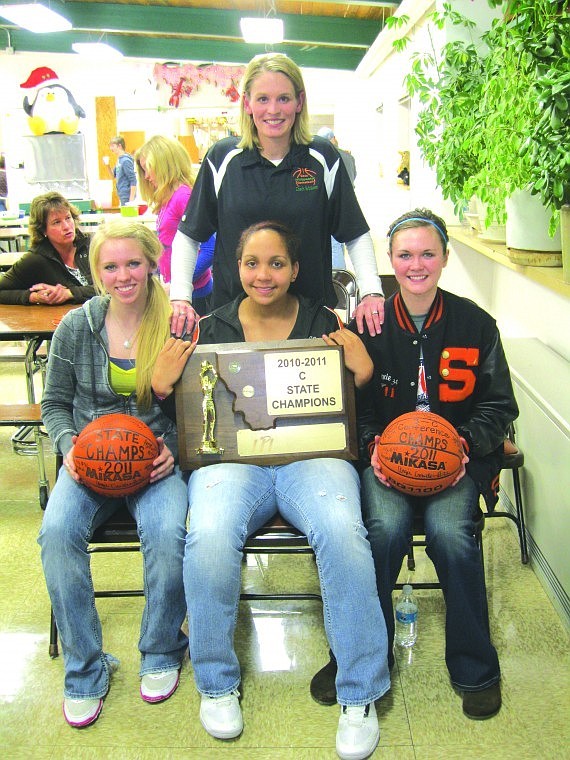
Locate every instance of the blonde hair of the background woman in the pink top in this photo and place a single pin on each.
(170, 163)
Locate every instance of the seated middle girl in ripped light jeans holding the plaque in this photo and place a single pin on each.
(320, 497)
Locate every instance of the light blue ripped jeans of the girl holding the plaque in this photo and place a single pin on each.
(319, 497)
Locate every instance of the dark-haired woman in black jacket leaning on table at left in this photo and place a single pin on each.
(56, 268)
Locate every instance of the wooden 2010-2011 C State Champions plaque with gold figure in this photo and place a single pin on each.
(265, 403)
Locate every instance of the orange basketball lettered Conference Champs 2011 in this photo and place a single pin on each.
(420, 453)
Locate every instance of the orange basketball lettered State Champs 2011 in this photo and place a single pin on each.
(114, 454)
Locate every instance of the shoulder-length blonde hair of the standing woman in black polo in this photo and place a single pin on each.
(280, 64)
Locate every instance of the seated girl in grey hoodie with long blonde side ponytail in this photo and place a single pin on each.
(101, 362)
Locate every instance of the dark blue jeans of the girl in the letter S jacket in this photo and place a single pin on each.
(449, 520)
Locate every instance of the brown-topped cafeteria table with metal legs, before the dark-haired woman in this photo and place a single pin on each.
(34, 325)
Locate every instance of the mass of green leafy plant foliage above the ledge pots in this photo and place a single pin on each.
(495, 109)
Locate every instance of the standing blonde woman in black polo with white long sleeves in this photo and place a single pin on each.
(275, 171)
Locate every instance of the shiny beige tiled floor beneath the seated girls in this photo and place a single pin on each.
(280, 646)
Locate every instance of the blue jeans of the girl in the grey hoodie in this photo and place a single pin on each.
(72, 514)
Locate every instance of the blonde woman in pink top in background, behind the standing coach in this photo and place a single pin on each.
(165, 179)
